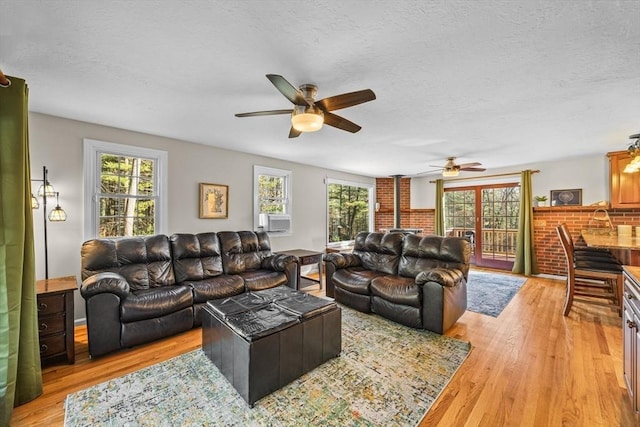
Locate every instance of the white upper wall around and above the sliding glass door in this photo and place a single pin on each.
(590, 173)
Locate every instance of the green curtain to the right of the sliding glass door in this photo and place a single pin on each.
(525, 262)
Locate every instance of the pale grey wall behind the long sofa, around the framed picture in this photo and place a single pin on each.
(57, 143)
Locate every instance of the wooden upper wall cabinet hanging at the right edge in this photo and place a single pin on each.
(624, 187)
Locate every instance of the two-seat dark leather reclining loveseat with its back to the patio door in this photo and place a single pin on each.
(417, 281)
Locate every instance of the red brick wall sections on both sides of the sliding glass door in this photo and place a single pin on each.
(548, 250)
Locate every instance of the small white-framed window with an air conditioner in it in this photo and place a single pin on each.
(272, 196)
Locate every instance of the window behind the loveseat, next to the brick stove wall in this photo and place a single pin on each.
(349, 209)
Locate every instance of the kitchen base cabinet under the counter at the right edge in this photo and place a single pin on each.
(631, 333)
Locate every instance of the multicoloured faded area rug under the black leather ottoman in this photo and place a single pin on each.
(387, 374)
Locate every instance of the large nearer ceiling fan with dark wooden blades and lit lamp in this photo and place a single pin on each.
(308, 115)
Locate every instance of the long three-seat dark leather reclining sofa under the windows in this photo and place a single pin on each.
(140, 289)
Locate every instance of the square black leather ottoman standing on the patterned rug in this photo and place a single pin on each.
(261, 341)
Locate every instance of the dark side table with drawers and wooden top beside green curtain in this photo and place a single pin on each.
(55, 319)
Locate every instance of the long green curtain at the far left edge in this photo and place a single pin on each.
(20, 373)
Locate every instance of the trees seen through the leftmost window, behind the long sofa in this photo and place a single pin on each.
(127, 196)
